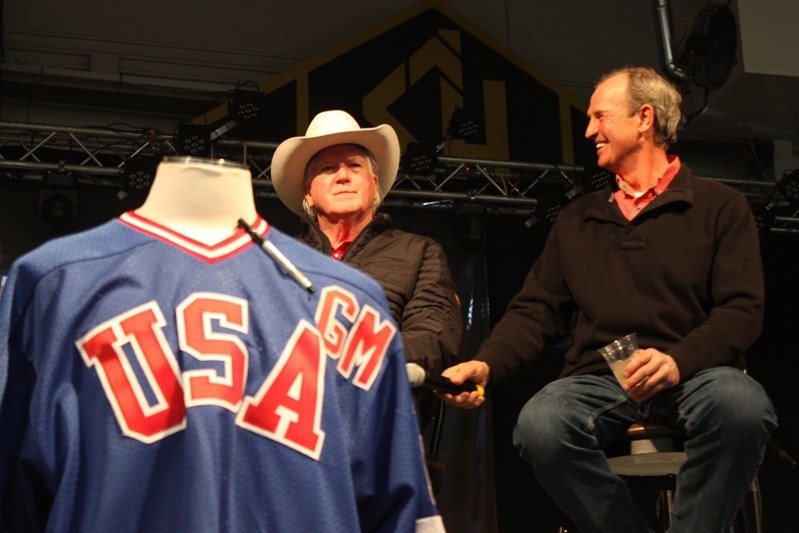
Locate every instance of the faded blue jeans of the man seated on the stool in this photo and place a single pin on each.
(727, 417)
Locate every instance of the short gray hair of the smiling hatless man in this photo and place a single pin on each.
(645, 86)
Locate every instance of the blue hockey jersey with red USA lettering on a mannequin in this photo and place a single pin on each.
(149, 382)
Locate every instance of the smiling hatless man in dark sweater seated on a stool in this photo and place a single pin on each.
(673, 258)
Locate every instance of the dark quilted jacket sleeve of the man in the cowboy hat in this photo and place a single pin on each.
(431, 319)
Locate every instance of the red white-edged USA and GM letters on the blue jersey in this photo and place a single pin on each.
(150, 398)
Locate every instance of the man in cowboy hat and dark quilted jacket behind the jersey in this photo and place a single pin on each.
(335, 178)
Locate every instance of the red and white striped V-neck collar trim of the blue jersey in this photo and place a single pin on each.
(238, 241)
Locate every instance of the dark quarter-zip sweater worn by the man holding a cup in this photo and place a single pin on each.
(685, 275)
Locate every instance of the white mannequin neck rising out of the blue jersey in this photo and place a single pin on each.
(200, 199)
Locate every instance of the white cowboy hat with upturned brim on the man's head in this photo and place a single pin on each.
(329, 128)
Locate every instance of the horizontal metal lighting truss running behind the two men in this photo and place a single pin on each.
(104, 157)
